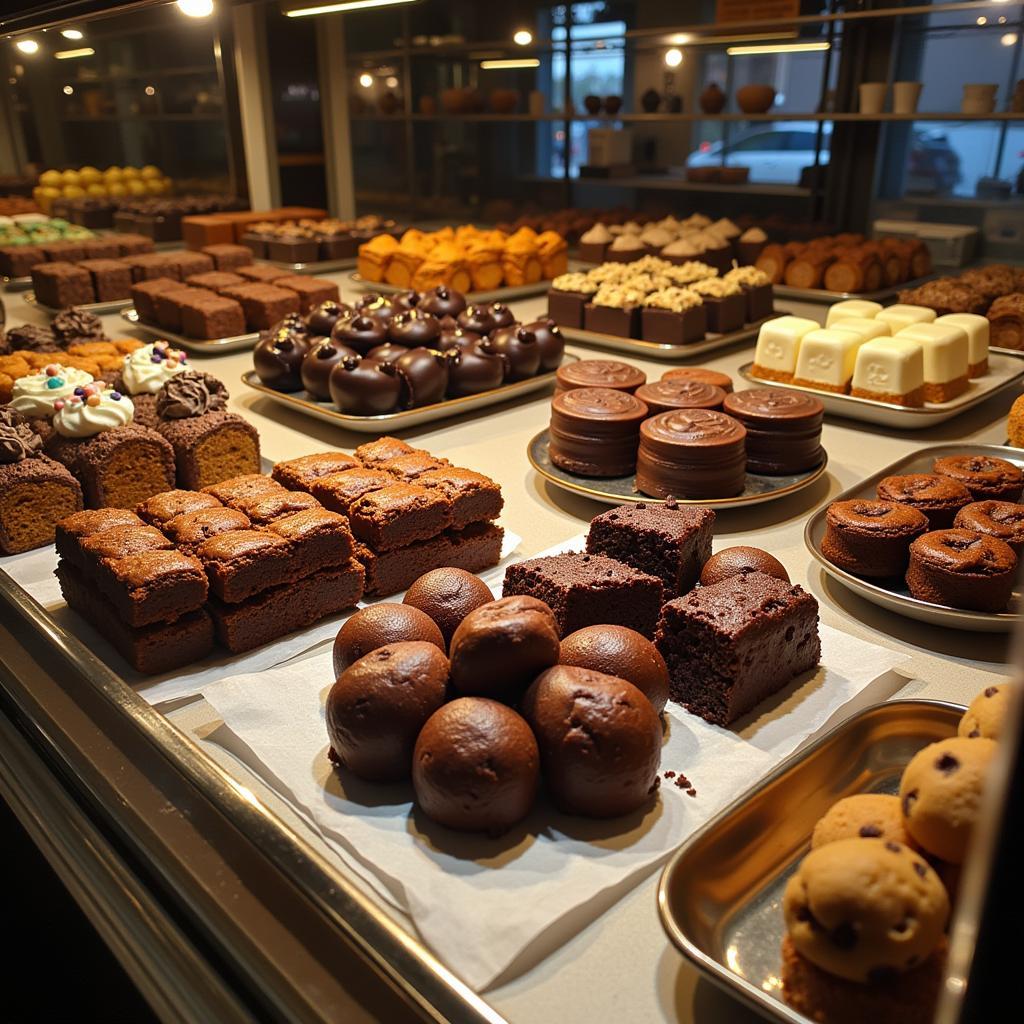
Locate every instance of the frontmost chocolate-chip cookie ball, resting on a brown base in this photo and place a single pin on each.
(866, 912)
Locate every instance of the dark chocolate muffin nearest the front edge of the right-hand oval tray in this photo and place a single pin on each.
(962, 570)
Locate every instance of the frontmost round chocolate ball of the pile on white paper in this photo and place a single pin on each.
(476, 766)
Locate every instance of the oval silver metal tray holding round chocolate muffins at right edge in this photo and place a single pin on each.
(893, 595)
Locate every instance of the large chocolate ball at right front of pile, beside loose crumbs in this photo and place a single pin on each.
(601, 741)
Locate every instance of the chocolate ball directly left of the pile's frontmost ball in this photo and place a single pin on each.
(378, 706)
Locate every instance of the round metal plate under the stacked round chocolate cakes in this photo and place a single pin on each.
(622, 490)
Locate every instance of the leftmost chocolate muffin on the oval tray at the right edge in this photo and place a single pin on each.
(872, 539)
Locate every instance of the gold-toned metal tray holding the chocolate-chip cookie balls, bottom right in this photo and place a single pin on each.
(720, 895)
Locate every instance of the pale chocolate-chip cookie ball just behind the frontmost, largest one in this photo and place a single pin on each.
(941, 794)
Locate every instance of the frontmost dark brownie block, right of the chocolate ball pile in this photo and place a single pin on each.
(732, 646)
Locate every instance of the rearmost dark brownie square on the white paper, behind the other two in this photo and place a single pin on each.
(668, 541)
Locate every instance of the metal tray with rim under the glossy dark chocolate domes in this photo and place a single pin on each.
(302, 402)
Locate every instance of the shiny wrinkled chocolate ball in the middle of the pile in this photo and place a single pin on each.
(499, 650)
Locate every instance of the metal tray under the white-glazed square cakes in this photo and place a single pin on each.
(1005, 372)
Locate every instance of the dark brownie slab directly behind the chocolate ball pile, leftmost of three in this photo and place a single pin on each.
(589, 590)
